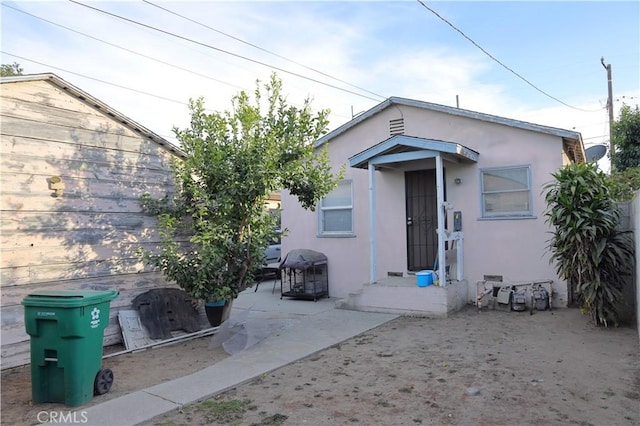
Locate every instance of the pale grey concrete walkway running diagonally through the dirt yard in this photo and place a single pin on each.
(295, 329)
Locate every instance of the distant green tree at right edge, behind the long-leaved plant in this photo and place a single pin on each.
(626, 139)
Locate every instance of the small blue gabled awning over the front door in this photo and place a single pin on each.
(402, 148)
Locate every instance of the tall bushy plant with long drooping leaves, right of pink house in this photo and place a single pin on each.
(585, 247)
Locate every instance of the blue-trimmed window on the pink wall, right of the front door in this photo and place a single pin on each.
(506, 192)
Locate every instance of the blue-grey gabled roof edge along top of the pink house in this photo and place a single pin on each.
(572, 140)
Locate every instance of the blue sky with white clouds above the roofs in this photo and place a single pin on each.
(527, 60)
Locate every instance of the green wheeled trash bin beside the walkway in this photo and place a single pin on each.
(67, 329)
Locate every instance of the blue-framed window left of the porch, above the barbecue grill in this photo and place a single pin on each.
(336, 211)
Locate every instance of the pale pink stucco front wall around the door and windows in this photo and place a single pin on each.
(515, 249)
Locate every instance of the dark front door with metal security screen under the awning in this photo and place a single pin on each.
(422, 219)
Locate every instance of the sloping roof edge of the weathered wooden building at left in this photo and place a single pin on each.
(97, 104)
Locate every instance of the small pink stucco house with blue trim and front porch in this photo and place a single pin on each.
(425, 182)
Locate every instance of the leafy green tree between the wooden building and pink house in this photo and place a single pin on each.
(215, 229)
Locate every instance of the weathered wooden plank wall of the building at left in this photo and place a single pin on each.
(87, 239)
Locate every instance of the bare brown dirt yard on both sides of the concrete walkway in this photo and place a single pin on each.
(488, 368)
